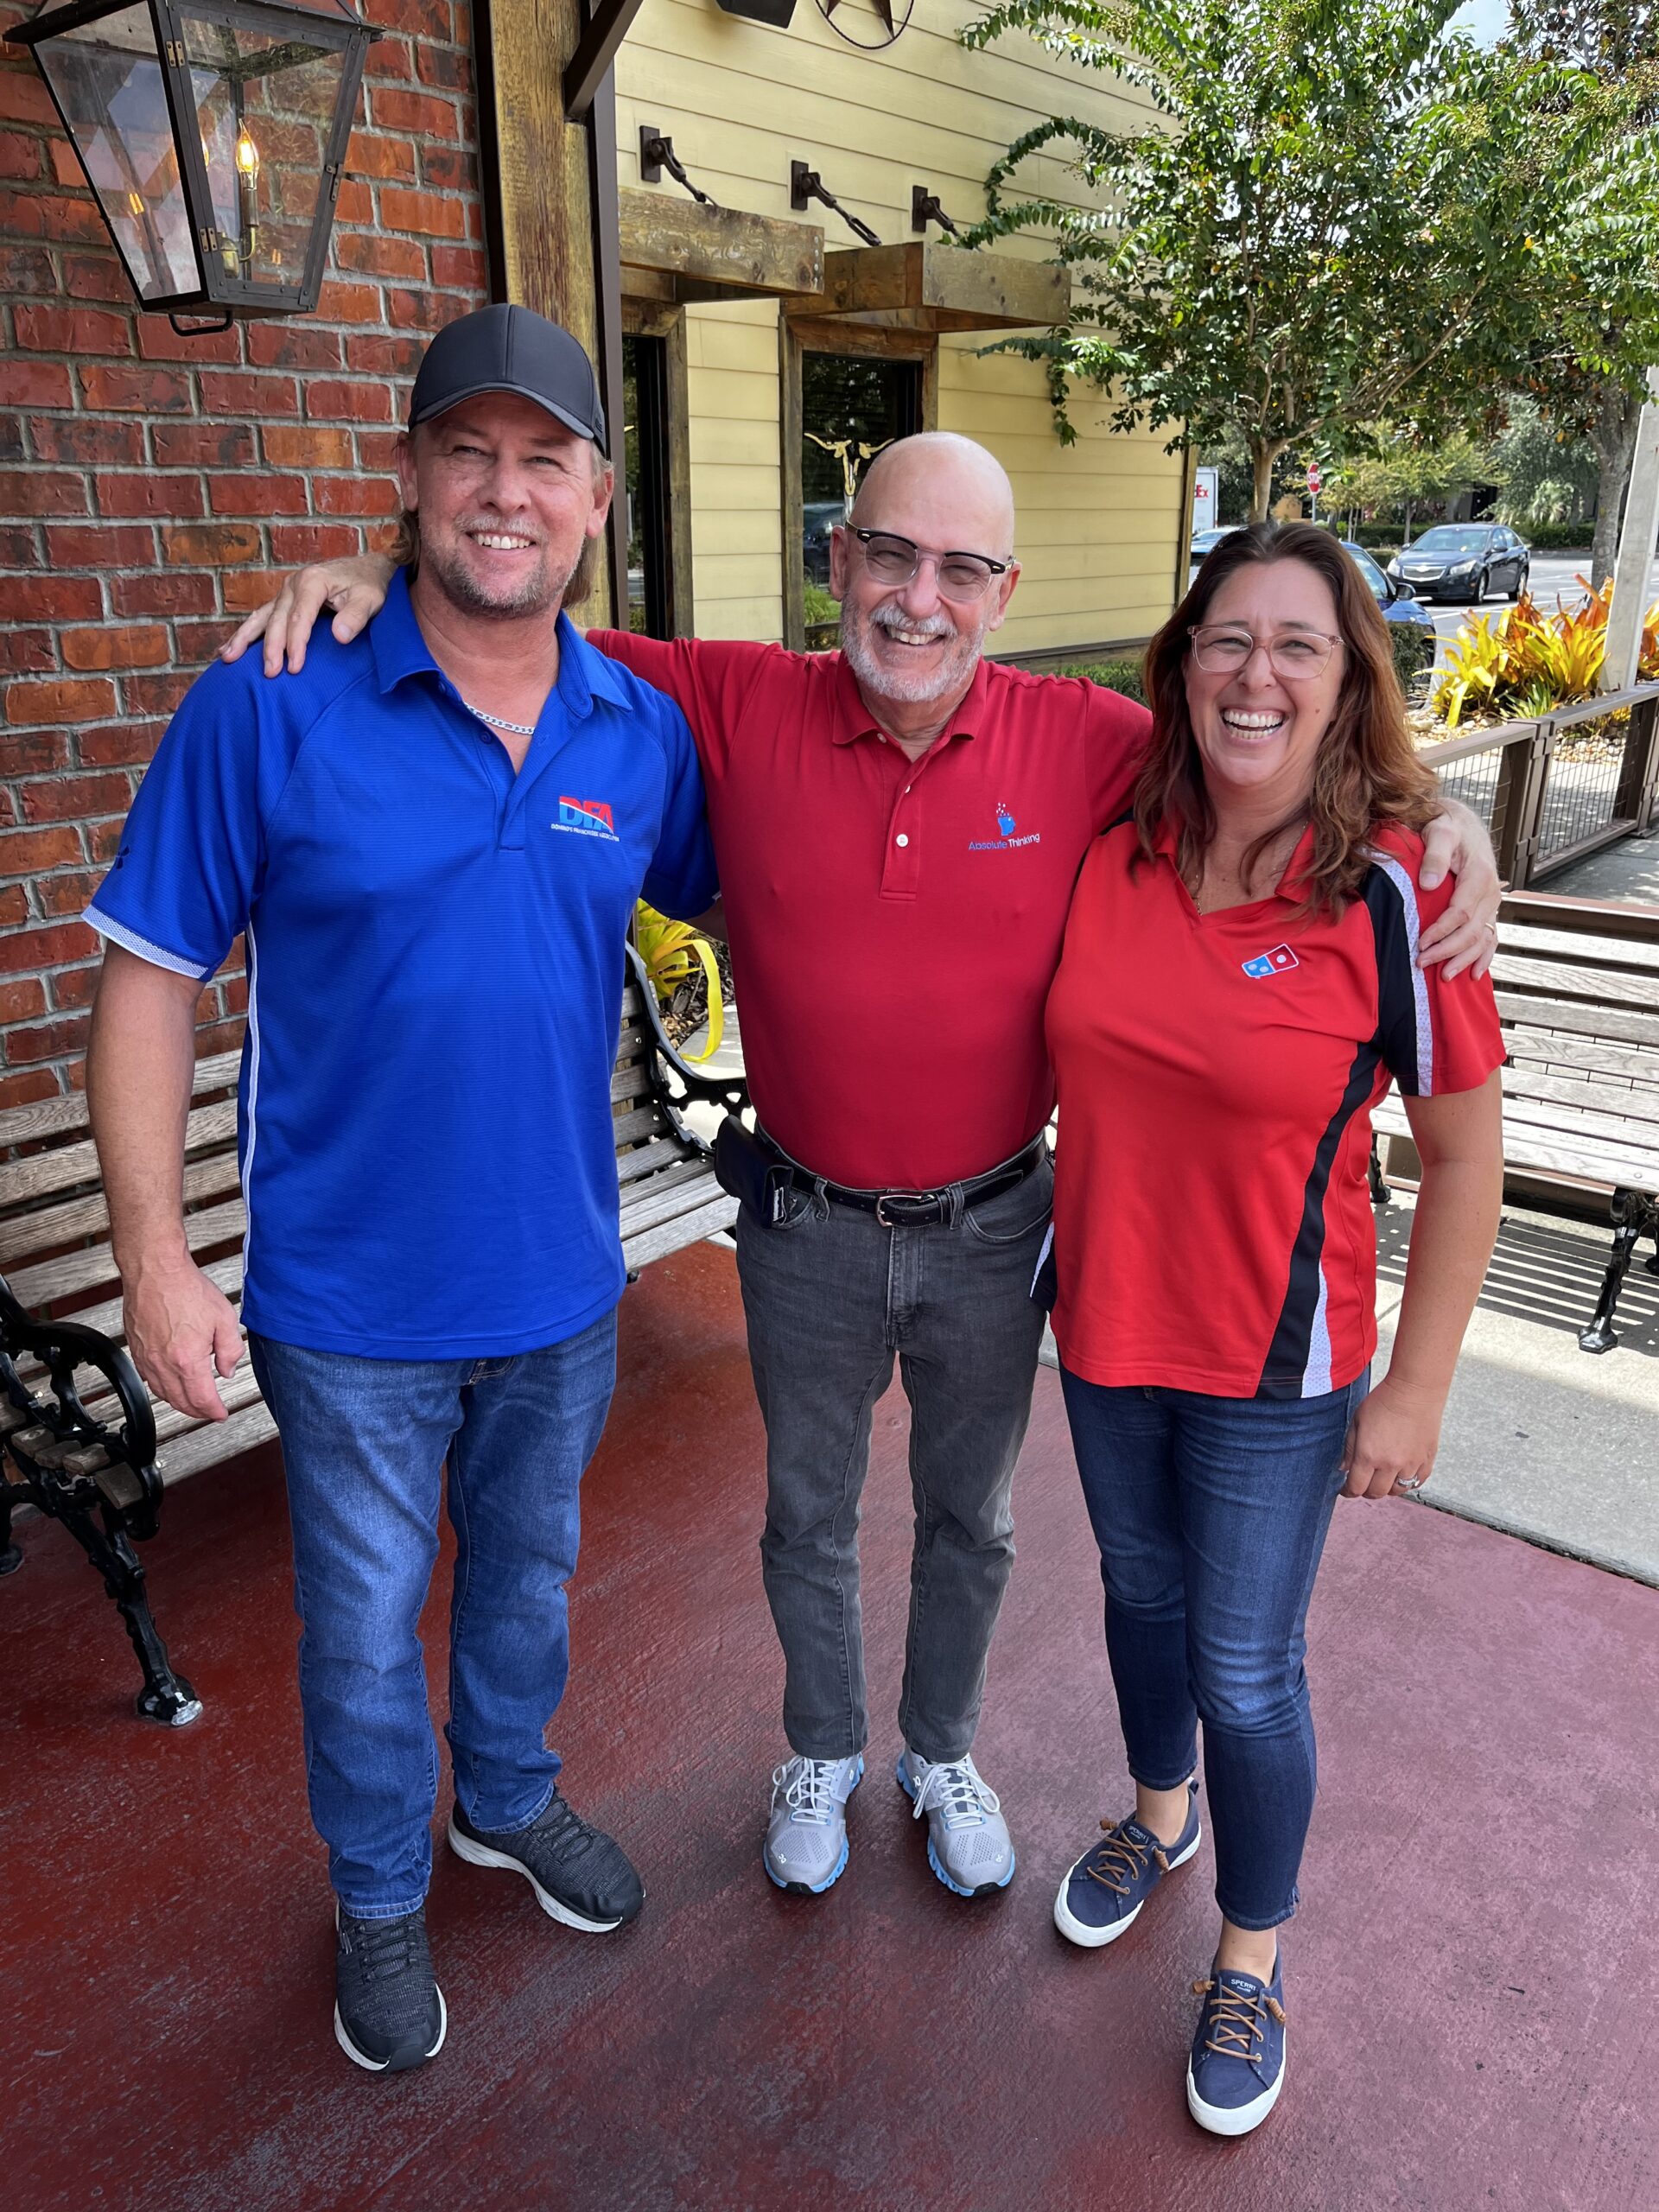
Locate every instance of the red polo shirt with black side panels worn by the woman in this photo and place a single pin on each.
(1213, 1220)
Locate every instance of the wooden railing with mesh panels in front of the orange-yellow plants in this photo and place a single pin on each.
(1545, 800)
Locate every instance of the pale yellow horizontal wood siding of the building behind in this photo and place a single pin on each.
(1098, 521)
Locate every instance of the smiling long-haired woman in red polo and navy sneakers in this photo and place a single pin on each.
(1240, 985)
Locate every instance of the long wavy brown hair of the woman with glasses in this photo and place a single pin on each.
(1366, 771)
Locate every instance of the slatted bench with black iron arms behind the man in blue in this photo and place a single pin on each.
(81, 1439)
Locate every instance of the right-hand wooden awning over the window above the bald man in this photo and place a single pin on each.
(926, 286)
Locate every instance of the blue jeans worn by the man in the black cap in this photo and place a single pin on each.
(366, 1446)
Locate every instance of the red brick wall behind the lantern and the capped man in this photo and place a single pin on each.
(149, 486)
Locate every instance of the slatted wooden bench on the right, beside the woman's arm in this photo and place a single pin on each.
(1578, 994)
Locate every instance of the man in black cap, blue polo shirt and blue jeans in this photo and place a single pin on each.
(435, 844)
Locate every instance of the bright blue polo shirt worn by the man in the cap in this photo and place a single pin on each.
(435, 977)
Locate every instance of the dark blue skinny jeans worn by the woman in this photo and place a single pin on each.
(1211, 1516)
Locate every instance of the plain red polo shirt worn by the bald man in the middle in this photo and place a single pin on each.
(895, 926)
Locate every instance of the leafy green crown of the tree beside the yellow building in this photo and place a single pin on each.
(1339, 216)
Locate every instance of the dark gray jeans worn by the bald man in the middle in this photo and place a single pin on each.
(831, 1300)
